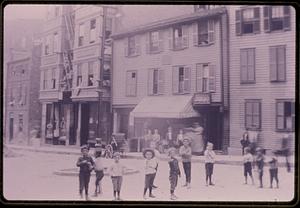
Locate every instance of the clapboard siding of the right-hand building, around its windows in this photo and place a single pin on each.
(263, 89)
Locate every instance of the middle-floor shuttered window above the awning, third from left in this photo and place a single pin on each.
(181, 79)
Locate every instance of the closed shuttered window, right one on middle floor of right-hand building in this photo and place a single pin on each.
(277, 63)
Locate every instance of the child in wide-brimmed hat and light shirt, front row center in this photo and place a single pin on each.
(150, 171)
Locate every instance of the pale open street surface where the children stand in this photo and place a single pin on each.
(30, 177)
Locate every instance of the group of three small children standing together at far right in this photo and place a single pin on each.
(259, 160)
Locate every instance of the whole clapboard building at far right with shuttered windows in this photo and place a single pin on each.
(262, 74)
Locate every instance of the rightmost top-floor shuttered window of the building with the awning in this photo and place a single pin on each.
(203, 32)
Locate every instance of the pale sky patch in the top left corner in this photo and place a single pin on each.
(24, 11)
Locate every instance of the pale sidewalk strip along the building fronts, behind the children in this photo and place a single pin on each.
(220, 159)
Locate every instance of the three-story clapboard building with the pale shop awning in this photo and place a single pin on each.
(172, 72)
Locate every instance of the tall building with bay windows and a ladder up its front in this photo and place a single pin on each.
(75, 83)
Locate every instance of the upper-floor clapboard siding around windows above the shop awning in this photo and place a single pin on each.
(165, 60)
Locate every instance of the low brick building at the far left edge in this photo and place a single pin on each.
(23, 111)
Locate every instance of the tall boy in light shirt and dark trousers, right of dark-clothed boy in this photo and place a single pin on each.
(185, 151)
